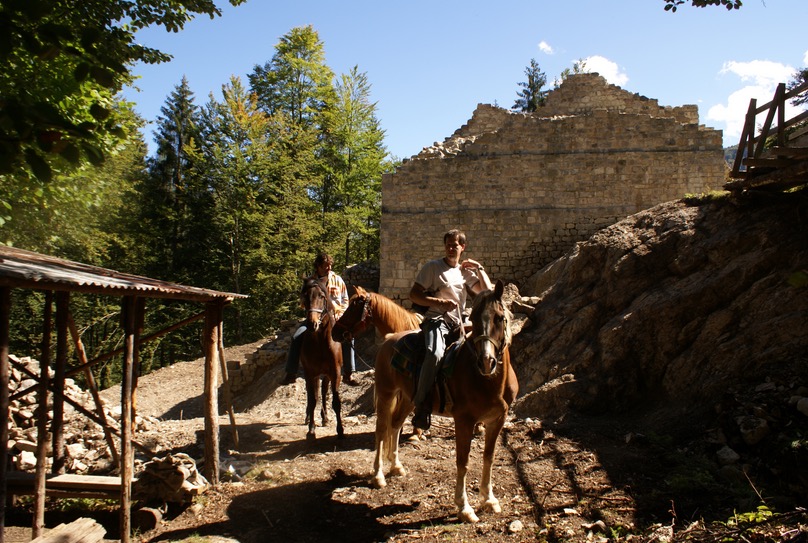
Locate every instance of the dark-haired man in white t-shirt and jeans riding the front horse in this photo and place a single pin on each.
(441, 286)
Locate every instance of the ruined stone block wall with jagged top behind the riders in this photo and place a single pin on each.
(526, 187)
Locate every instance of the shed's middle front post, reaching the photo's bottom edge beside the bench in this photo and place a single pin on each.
(128, 310)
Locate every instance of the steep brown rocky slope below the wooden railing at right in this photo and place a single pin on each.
(671, 308)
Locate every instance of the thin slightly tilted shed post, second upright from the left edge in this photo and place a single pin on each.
(42, 420)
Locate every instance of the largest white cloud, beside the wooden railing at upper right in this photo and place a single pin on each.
(763, 76)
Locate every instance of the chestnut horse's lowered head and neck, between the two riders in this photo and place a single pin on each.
(368, 309)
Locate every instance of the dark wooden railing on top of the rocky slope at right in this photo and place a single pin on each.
(750, 158)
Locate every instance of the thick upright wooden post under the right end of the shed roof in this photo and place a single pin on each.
(210, 342)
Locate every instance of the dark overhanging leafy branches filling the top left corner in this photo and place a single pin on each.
(62, 62)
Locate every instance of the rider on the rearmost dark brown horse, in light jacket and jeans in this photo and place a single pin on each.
(338, 295)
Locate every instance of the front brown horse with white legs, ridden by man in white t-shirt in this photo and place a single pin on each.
(481, 388)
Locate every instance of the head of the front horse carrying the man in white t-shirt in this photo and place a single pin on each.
(490, 333)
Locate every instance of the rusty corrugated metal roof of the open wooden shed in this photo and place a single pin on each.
(27, 269)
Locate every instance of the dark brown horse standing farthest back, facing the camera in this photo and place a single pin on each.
(320, 355)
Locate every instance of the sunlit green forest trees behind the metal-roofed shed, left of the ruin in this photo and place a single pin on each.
(240, 196)
